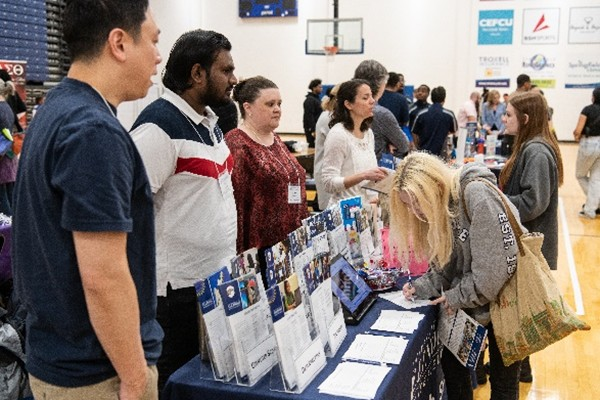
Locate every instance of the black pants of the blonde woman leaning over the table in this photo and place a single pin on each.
(504, 381)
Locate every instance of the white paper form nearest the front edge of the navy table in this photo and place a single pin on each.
(356, 380)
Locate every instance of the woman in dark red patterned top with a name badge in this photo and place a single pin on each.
(268, 181)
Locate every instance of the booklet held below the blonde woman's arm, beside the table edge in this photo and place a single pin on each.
(462, 335)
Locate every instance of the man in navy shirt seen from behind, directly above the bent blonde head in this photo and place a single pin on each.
(433, 125)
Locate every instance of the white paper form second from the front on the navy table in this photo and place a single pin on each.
(376, 348)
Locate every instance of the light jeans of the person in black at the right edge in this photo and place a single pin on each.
(587, 171)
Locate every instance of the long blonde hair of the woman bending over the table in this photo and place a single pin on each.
(434, 187)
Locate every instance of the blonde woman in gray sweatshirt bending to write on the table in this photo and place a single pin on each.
(460, 225)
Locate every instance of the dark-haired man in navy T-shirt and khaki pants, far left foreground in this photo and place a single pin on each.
(83, 232)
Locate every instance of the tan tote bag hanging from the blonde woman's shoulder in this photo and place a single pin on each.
(529, 314)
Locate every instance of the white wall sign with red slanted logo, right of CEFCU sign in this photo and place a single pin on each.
(540, 26)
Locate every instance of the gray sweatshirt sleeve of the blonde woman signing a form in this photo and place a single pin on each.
(486, 250)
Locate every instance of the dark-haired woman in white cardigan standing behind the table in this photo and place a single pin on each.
(349, 157)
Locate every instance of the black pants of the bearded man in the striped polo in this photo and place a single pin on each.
(177, 314)
